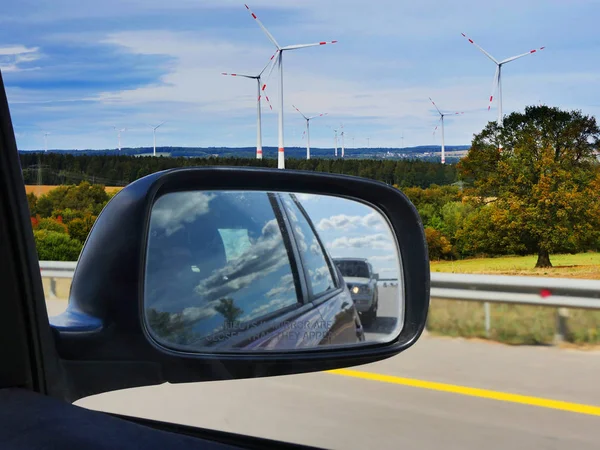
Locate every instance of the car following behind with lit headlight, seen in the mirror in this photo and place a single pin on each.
(362, 282)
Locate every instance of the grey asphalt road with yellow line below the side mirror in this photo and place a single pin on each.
(345, 412)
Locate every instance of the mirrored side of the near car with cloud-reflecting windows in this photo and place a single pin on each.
(250, 272)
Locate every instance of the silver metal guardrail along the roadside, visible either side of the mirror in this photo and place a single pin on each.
(560, 293)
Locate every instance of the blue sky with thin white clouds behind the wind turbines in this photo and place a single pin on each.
(76, 68)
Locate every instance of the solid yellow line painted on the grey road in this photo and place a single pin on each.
(473, 392)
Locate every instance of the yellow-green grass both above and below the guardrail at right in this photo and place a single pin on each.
(517, 324)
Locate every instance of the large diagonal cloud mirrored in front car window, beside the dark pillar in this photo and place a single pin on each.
(267, 255)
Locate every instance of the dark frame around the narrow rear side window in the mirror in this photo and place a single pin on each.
(338, 285)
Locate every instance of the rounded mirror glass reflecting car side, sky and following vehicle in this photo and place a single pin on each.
(269, 271)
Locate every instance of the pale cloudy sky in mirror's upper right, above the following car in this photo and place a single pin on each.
(350, 229)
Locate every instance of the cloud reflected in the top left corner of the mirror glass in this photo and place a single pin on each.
(172, 211)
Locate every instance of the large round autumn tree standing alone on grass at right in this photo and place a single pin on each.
(540, 172)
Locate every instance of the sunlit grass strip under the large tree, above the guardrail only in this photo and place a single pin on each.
(581, 265)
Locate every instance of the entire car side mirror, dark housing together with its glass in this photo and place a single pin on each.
(203, 274)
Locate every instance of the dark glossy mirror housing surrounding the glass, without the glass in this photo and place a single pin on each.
(104, 325)
